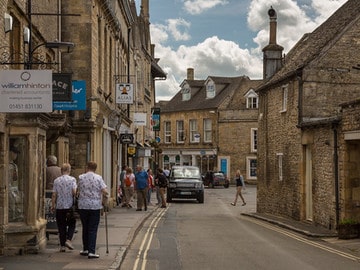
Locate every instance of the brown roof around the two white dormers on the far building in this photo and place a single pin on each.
(225, 86)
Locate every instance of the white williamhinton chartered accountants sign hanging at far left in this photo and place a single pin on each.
(25, 91)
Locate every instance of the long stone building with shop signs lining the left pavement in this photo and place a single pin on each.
(112, 46)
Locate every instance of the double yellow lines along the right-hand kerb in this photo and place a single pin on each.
(301, 239)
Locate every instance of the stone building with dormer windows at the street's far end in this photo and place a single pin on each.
(212, 124)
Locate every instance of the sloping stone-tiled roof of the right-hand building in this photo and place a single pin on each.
(312, 45)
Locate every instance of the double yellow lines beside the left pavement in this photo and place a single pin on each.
(147, 240)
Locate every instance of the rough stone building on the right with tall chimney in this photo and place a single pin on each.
(307, 151)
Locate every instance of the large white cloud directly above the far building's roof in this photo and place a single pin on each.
(225, 57)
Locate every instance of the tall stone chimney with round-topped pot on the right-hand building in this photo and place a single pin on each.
(272, 53)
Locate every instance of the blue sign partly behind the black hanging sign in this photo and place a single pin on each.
(78, 99)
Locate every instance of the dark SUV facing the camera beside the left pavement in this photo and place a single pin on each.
(185, 182)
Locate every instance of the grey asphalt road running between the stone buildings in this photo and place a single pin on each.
(214, 235)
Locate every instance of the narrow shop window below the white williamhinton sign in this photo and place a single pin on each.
(16, 178)
